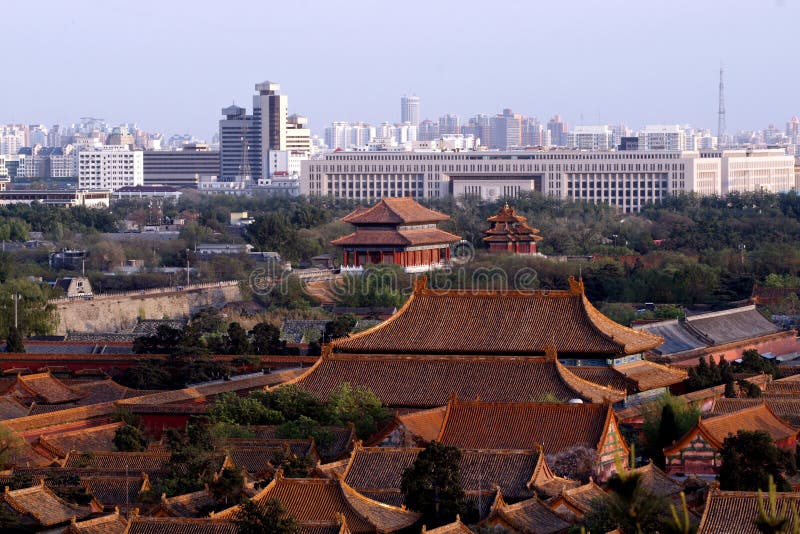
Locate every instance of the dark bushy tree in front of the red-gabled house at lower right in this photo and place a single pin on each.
(749, 459)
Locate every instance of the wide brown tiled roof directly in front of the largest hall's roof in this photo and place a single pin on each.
(427, 381)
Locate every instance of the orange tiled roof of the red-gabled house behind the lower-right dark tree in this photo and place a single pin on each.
(716, 429)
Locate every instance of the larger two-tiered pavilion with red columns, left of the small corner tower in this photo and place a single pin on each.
(396, 231)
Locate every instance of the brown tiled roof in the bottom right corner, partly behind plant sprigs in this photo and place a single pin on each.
(735, 512)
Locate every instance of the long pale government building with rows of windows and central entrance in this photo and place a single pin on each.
(626, 179)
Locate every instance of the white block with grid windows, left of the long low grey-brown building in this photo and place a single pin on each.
(110, 167)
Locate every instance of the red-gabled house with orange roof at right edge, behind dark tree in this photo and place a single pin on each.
(699, 451)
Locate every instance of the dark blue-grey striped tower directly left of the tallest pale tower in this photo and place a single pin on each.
(239, 145)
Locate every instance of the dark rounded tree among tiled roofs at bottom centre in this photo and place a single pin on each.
(432, 485)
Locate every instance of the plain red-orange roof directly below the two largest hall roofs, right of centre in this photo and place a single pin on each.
(493, 425)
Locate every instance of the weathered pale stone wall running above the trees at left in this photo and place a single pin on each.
(119, 313)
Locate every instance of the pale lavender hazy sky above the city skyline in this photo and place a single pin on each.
(171, 65)
